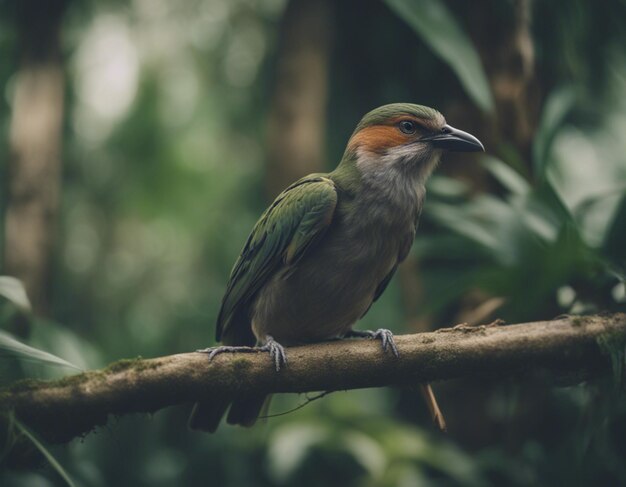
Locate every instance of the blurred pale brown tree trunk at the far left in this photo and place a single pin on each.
(35, 149)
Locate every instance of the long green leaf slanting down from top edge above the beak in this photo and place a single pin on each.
(436, 25)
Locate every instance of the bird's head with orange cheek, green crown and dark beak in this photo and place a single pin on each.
(405, 137)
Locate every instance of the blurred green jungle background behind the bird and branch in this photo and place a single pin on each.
(140, 141)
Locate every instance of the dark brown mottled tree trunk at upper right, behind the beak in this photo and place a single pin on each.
(502, 34)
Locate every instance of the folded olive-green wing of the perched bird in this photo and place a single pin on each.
(296, 220)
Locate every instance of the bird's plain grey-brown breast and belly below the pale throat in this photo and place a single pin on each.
(334, 284)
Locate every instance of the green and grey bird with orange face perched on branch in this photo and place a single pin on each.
(328, 245)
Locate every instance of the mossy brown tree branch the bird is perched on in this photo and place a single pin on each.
(567, 350)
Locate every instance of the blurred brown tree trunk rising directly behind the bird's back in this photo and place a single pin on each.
(297, 116)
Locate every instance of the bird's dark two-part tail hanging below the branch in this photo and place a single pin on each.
(206, 416)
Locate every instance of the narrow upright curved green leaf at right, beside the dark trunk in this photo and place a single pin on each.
(558, 105)
